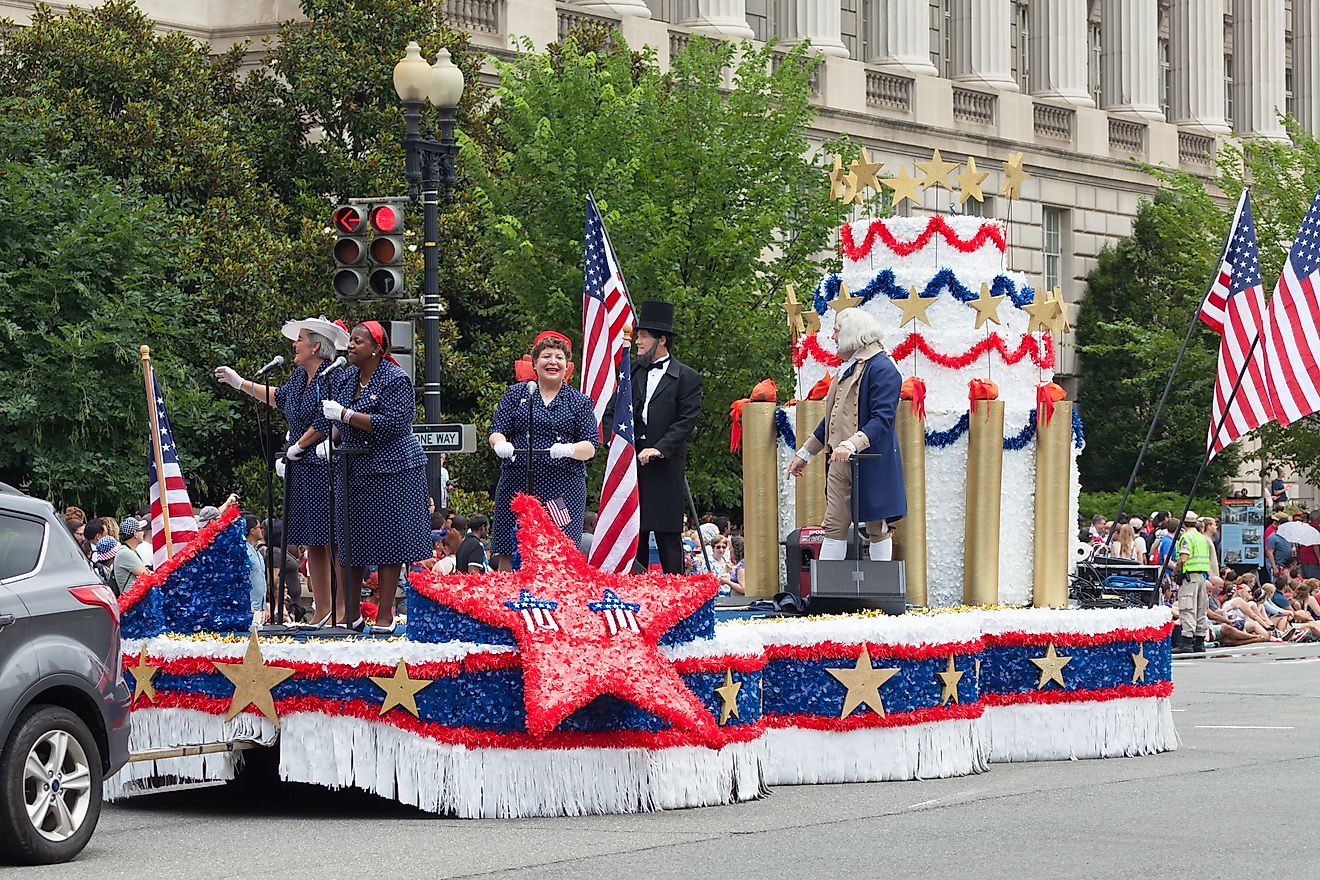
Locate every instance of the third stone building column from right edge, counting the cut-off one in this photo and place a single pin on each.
(1197, 61)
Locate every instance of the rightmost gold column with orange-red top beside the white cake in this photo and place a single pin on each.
(1054, 485)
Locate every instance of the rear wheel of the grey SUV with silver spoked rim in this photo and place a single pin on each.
(51, 787)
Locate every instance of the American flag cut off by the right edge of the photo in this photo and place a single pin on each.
(1293, 327)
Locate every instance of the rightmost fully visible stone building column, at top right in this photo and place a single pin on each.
(1259, 65)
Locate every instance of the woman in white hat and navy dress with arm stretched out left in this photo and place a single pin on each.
(308, 515)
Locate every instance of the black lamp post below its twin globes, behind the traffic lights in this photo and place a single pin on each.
(431, 175)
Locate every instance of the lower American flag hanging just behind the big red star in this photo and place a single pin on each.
(618, 526)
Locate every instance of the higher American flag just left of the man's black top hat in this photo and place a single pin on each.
(605, 311)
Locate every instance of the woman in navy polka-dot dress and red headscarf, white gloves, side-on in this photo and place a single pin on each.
(386, 486)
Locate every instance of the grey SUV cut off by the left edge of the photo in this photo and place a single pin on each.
(64, 705)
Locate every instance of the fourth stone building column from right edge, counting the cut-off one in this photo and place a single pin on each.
(1131, 60)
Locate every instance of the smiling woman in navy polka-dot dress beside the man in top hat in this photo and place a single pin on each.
(564, 423)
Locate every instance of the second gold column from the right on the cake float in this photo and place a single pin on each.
(981, 530)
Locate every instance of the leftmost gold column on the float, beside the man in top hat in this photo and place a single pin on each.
(761, 499)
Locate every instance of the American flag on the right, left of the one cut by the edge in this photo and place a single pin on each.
(1235, 308)
